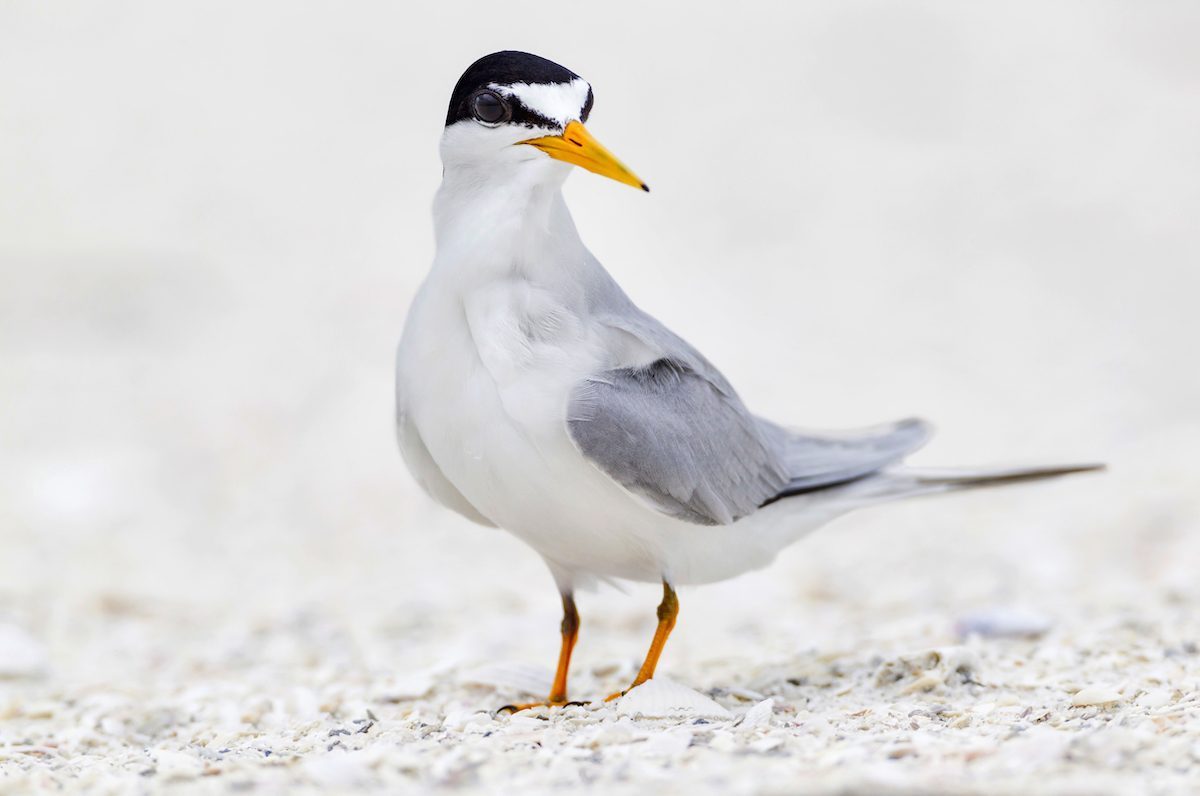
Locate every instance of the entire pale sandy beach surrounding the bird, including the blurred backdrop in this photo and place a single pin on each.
(215, 576)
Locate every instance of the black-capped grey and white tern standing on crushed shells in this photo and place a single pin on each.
(536, 397)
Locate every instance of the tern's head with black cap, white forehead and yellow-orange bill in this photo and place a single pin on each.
(517, 112)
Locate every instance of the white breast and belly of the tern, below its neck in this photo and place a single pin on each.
(487, 382)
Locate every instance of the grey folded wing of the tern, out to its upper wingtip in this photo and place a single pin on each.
(676, 434)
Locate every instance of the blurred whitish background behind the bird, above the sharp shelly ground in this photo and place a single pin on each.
(214, 216)
